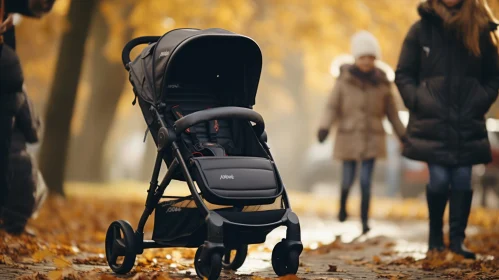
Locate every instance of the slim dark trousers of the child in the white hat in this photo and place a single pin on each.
(349, 170)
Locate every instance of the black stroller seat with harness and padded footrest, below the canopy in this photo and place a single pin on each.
(223, 174)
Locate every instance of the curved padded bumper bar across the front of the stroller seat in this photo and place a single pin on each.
(221, 113)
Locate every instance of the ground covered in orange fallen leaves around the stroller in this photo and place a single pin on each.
(70, 234)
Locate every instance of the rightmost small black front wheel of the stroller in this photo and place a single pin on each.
(285, 261)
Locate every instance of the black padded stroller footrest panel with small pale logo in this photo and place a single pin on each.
(237, 180)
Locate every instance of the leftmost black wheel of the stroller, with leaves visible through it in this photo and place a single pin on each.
(120, 247)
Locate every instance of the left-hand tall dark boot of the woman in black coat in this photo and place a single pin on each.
(436, 208)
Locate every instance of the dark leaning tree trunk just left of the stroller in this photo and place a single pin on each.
(63, 94)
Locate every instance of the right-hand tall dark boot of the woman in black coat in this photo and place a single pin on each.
(460, 206)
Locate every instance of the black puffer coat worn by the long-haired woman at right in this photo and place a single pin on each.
(448, 91)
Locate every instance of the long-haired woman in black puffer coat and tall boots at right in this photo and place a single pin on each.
(448, 77)
